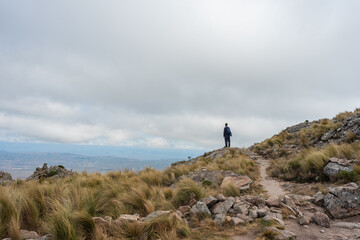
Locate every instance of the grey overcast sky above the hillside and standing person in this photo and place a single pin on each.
(169, 74)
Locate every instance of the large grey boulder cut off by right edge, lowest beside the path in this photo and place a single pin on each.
(342, 202)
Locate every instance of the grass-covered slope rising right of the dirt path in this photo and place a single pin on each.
(295, 158)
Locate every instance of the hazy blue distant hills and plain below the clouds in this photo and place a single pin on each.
(22, 165)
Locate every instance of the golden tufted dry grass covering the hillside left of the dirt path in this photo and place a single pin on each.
(65, 207)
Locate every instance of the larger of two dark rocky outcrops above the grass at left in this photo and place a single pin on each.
(50, 172)
